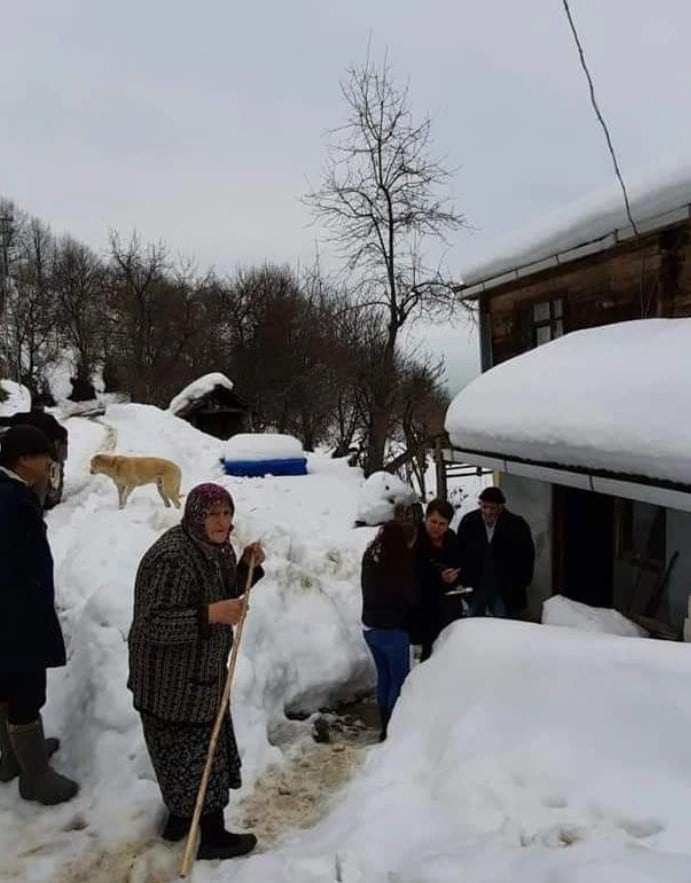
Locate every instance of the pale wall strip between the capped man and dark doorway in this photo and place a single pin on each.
(533, 500)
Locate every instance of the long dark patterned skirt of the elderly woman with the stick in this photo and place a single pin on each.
(178, 754)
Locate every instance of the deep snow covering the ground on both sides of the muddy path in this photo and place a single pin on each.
(518, 754)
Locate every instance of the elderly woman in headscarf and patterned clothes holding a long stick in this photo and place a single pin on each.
(185, 605)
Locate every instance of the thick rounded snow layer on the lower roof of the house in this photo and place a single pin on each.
(610, 399)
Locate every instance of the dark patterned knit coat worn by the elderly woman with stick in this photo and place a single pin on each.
(177, 658)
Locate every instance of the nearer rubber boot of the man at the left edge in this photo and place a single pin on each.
(37, 780)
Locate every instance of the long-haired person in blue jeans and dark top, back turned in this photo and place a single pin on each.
(388, 594)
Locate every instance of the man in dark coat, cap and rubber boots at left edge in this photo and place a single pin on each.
(30, 637)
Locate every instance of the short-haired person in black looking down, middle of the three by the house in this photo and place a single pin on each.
(438, 573)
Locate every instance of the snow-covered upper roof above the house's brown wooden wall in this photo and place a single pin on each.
(591, 224)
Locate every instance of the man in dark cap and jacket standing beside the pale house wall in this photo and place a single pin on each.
(497, 557)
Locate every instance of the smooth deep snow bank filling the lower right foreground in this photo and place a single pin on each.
(518, 754)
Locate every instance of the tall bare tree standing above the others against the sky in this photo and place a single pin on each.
(379, 200)
